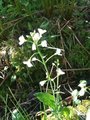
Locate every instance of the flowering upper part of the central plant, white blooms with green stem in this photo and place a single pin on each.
(36, 42)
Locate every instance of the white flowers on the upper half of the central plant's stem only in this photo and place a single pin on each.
(36, 36)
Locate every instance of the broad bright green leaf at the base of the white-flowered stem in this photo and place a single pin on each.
(47, 99)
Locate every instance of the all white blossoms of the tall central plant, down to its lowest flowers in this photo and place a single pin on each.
(35, 38)
